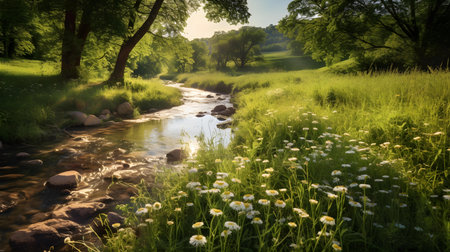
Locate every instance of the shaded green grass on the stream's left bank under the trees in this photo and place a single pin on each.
(34, 99)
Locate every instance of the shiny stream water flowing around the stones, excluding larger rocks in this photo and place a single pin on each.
(132, 149)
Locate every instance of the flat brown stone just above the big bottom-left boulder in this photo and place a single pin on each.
(79, 212)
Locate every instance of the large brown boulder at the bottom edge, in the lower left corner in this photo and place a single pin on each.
(42, 235)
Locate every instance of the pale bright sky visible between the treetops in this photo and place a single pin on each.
(263, 13)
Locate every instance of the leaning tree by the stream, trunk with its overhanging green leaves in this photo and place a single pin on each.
(175, 14)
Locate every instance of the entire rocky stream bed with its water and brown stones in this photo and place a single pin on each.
(54, 191)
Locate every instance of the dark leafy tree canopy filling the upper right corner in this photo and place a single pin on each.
(411, 31)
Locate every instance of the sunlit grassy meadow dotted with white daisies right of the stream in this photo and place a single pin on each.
(319, 162)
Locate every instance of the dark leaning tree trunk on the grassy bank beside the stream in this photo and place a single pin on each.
(128, 45)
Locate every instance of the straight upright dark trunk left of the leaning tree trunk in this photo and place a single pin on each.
(68, 56)
